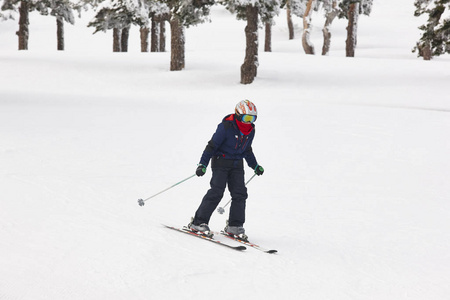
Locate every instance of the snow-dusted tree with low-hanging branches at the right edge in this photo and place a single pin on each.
(435, 39)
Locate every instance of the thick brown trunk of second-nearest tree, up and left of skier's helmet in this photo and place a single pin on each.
(177, 45)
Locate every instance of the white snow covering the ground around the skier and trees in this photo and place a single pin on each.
(354, 196)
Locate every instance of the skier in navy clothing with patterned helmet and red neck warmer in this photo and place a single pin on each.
(229, 145)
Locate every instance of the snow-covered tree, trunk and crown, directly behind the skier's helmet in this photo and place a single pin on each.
(252, 11)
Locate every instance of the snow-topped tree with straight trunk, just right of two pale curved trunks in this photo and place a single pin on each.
(351, 9)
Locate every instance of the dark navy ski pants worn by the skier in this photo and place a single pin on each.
(222, 175)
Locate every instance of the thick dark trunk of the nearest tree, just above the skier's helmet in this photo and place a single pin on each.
(250, 65)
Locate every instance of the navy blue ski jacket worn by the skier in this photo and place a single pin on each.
(228, 143)
